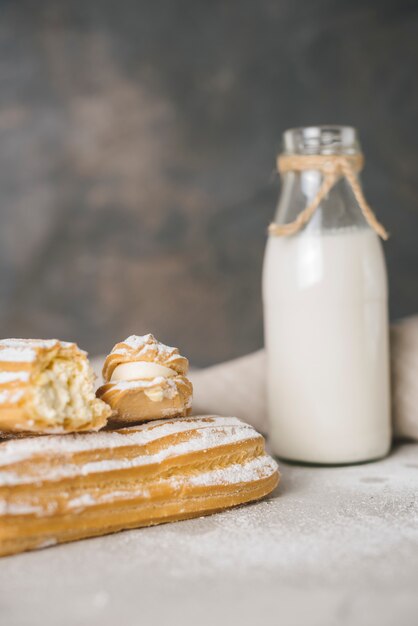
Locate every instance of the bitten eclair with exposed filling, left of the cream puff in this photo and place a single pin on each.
(47, 386)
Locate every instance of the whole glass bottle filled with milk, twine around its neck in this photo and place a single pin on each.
(325, 307)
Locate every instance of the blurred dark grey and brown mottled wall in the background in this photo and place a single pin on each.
(137, 153)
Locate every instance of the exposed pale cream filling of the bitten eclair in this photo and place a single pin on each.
(64, 391)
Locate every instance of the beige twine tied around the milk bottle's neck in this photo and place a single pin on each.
(332, 167)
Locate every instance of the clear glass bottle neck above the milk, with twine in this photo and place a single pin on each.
(321, 190)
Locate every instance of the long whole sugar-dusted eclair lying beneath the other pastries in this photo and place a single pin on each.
(56, 489)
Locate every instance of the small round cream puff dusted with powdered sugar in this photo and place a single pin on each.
(146, 380)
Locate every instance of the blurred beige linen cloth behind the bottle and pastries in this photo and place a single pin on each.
(237, 387)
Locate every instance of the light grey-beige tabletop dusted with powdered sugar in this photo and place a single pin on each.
(331, 546)
